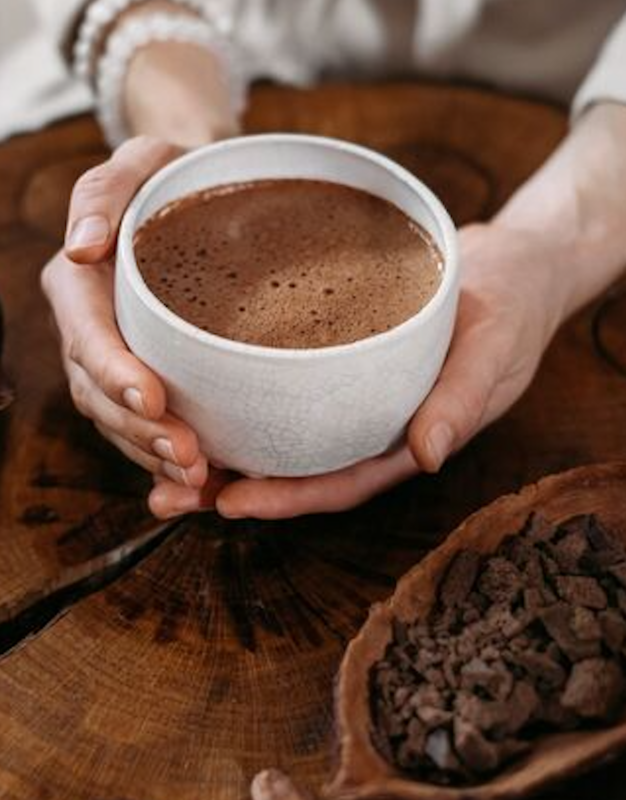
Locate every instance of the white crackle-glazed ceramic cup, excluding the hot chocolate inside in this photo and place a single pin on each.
(269, 411)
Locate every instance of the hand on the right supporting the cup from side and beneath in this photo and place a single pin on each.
(511, 304)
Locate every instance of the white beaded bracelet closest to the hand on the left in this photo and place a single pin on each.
(158, 27)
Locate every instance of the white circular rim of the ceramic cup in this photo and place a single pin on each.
(127, 262)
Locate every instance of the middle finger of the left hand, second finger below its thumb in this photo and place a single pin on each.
(168, 438)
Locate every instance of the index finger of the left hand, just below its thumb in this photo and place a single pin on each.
(82, 301)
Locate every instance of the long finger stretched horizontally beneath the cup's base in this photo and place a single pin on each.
(282, 498)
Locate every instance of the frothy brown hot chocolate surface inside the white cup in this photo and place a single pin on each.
(288, 263)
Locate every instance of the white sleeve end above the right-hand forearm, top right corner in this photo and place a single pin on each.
(607, 79)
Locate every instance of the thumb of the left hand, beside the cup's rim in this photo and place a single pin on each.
(102, 194)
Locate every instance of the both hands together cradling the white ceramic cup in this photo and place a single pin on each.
(508, 312)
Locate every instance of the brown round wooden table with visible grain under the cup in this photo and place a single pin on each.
(150, 662)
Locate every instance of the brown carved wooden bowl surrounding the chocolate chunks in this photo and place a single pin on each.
(362, 771)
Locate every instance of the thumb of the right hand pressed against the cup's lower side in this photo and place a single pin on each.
(460, 404)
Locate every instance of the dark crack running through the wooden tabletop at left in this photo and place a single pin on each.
(21, 621)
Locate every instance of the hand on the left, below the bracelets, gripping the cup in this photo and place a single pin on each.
(109, 385)
